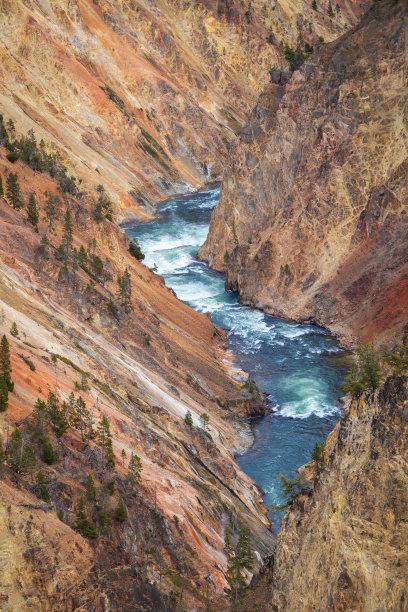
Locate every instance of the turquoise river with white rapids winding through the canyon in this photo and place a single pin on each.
(297, 366)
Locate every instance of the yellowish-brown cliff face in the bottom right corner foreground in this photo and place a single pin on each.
(344, 546)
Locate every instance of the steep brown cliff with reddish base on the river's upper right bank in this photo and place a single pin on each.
(312, 217)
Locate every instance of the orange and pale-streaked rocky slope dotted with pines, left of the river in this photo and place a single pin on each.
(142, 370)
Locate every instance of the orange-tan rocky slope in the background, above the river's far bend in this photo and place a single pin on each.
(146, 97)
